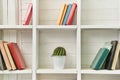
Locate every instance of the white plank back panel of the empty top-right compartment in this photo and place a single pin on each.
(96, 12)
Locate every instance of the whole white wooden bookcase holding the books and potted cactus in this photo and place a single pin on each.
(94, 23)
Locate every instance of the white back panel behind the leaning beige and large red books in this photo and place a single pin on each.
(23, 37)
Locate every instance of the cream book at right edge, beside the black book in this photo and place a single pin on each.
(116, 55)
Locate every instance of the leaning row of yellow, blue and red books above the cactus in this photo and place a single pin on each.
(66, 14)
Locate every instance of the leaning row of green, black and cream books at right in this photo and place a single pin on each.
(107, 56)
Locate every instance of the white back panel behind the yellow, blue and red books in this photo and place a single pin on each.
(48, 12)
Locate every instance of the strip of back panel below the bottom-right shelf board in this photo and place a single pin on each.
(99, 77)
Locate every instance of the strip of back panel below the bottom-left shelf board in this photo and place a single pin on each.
(16, 77)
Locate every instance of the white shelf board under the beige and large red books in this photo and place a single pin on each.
(26, 71)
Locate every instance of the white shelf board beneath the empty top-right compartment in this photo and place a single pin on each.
(100, 27)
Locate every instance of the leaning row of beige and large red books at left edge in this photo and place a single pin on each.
(10, 56)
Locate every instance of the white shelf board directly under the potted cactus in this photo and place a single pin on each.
(53, 71)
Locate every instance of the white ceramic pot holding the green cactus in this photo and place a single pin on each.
(58, 62)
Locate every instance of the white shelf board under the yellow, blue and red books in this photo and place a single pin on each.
(57, 27)
